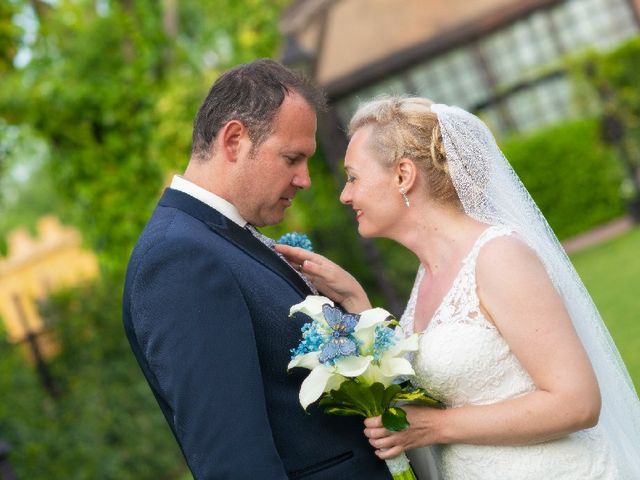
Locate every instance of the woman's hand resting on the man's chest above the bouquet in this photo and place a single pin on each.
(330, 279)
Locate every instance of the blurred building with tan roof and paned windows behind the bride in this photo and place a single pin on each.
(504, 60)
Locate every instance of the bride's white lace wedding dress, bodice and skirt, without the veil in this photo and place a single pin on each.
(463, 360)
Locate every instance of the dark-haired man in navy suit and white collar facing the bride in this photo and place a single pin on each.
(206, 302)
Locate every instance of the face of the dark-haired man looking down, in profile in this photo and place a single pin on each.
(277, 169)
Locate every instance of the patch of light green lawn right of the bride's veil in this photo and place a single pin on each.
(611, 273)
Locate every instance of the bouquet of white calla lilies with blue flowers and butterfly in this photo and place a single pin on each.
(357, 364)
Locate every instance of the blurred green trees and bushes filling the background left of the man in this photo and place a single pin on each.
(110, 92)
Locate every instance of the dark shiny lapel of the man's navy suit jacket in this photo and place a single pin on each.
(235, 234)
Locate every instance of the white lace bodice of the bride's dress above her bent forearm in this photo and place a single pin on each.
(485, 371)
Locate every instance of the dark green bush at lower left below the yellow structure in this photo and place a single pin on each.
(105, 423)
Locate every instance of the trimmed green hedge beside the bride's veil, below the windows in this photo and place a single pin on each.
(571, 175)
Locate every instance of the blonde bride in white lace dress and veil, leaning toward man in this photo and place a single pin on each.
(510, 339)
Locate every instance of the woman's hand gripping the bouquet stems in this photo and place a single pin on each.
(422, 431)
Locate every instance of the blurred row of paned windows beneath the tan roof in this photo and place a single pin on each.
(518, 57)
